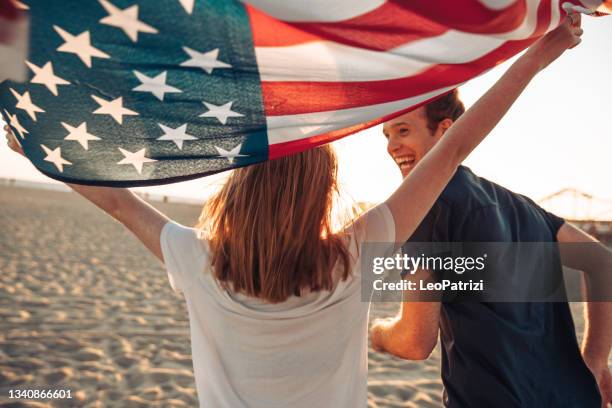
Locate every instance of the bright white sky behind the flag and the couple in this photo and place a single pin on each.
(557, 135)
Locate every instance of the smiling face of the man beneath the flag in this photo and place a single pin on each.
(409, 139)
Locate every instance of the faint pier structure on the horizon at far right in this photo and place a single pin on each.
(592, 214)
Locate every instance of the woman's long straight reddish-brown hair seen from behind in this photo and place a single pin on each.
(270, 227)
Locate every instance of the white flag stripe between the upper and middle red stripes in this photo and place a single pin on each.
(332, 62)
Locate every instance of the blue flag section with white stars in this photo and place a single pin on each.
(125, 94)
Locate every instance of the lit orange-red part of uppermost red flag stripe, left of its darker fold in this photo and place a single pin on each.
(389, 26)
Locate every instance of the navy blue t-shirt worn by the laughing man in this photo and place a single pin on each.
(504, 354)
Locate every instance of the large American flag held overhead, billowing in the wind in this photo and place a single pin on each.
(131, 93)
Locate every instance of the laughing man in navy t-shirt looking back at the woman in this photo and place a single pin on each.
(495, 354)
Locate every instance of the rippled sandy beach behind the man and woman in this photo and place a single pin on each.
(84, 307)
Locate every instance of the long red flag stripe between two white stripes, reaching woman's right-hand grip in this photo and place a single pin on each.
(293, 98)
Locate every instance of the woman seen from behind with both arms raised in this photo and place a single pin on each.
(273, 293)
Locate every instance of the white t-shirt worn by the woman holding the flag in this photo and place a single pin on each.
(309, 351)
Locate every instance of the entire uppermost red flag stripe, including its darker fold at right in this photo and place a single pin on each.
(427, 18)
